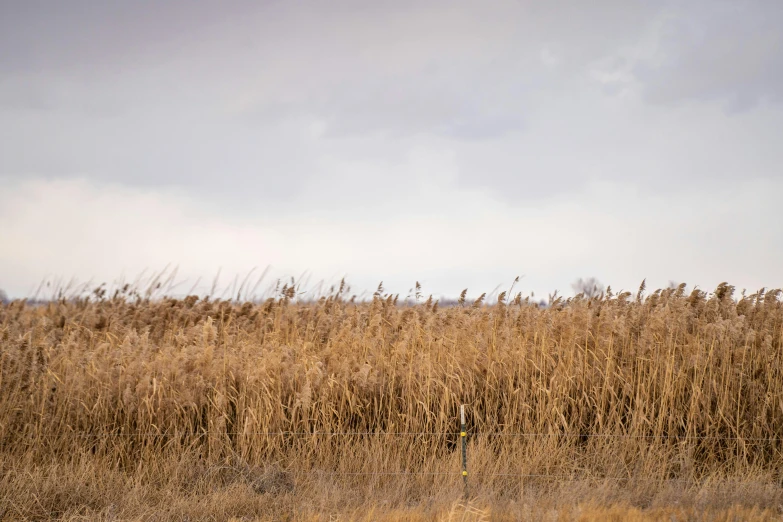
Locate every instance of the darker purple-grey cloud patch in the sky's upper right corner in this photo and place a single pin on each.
(731, 52)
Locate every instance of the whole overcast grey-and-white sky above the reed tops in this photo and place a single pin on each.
(460, 144)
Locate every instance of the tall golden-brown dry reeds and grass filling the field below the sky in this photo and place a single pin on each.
(668, 407)
